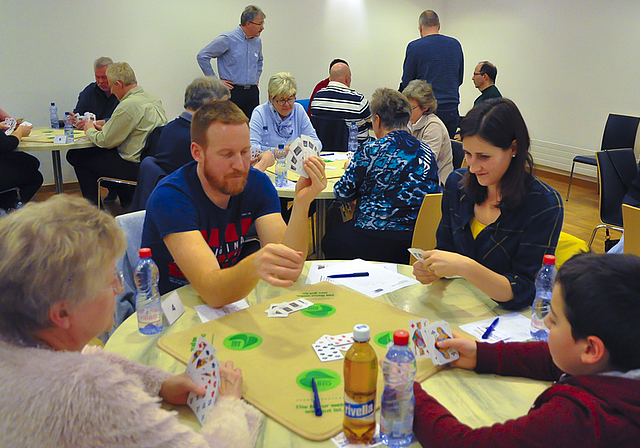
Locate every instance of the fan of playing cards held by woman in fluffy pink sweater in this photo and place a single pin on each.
(204, 369)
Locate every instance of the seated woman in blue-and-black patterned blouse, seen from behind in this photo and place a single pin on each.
(389, 178)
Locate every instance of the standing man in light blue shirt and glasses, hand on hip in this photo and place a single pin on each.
(239, 54)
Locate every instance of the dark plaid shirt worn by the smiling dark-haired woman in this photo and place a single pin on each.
(514, 244)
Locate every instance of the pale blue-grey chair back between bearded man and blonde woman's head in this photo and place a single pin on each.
(132, 224)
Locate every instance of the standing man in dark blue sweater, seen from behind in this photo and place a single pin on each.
(437, 59)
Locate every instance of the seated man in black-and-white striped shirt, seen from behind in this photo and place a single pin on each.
(339, 101)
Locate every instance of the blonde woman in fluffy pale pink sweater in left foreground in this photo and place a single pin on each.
(58, 283)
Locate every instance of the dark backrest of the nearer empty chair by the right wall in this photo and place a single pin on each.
(616, 171)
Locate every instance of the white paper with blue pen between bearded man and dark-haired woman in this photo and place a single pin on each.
(379, 282)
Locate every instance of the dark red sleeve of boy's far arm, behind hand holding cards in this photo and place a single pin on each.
(524, 359)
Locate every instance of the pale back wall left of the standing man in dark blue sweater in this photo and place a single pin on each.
(48, 47)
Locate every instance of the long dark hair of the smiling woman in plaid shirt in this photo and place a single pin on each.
(499, 122)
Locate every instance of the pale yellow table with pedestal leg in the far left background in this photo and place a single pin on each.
(41, 139)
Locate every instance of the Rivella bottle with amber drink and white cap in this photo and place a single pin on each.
(360, 379)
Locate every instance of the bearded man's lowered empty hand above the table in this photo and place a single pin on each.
(279, 265)
